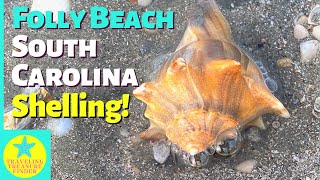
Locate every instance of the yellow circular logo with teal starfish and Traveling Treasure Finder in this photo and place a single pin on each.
(24, 156)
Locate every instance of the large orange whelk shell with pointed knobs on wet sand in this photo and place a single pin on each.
(208, 86)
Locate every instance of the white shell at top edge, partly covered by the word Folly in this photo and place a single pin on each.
(50, 5)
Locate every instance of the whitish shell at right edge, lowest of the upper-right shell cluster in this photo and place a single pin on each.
(309, 50)
